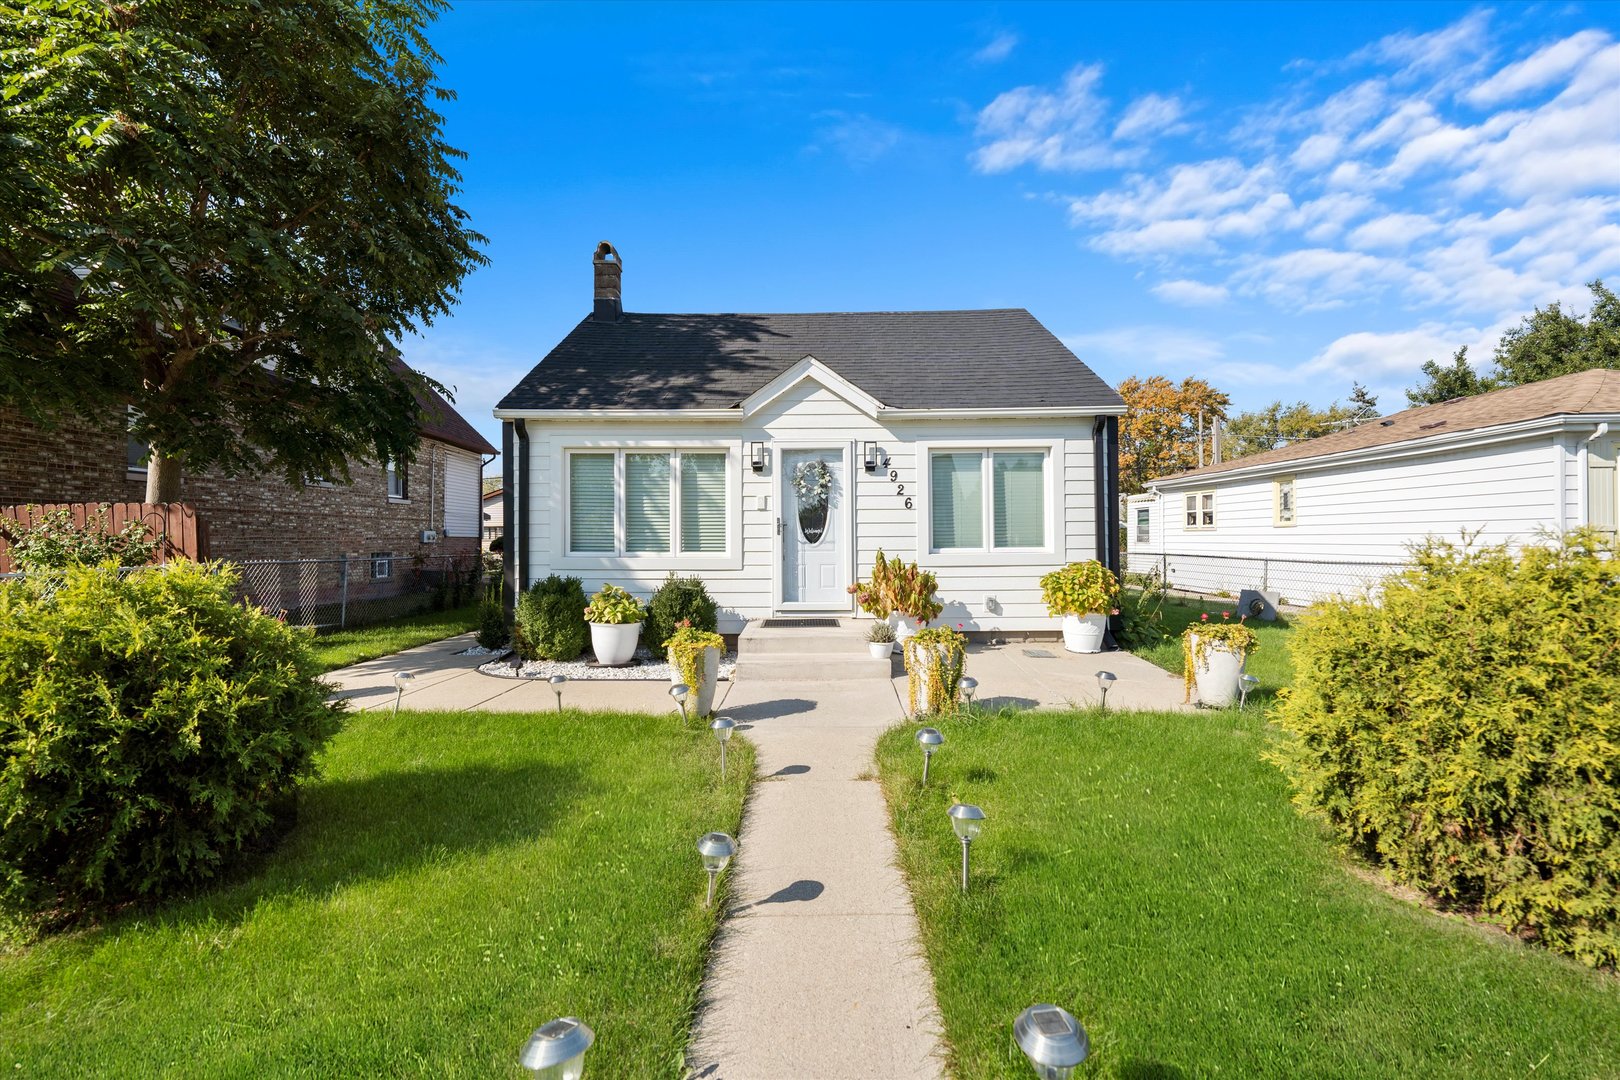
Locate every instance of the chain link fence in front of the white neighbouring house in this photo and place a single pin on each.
(1297, 582)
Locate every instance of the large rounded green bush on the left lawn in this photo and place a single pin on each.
(150, 731)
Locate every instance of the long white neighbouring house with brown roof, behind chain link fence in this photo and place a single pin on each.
(1501, 466)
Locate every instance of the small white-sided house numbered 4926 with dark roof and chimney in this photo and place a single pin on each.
(775, 454)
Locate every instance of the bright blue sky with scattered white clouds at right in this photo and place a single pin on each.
(1279, 198)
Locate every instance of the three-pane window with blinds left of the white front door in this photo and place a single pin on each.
(647, 503)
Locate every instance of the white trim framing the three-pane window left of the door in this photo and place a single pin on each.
(565, 559)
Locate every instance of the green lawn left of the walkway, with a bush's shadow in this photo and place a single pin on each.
(456, 880)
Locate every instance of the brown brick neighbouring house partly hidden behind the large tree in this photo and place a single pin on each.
(430, 509)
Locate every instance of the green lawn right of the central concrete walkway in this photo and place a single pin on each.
(1148, 874)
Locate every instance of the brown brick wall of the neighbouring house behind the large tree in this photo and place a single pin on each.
(250, 517)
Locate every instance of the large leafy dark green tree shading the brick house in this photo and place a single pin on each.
(224, 215)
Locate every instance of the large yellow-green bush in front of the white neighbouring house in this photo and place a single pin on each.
(1465, 733)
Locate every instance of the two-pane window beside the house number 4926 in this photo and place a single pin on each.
(1002, 488)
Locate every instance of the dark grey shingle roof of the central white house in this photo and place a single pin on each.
(903, 359)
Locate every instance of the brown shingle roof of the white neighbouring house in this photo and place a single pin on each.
(1587, 393)
